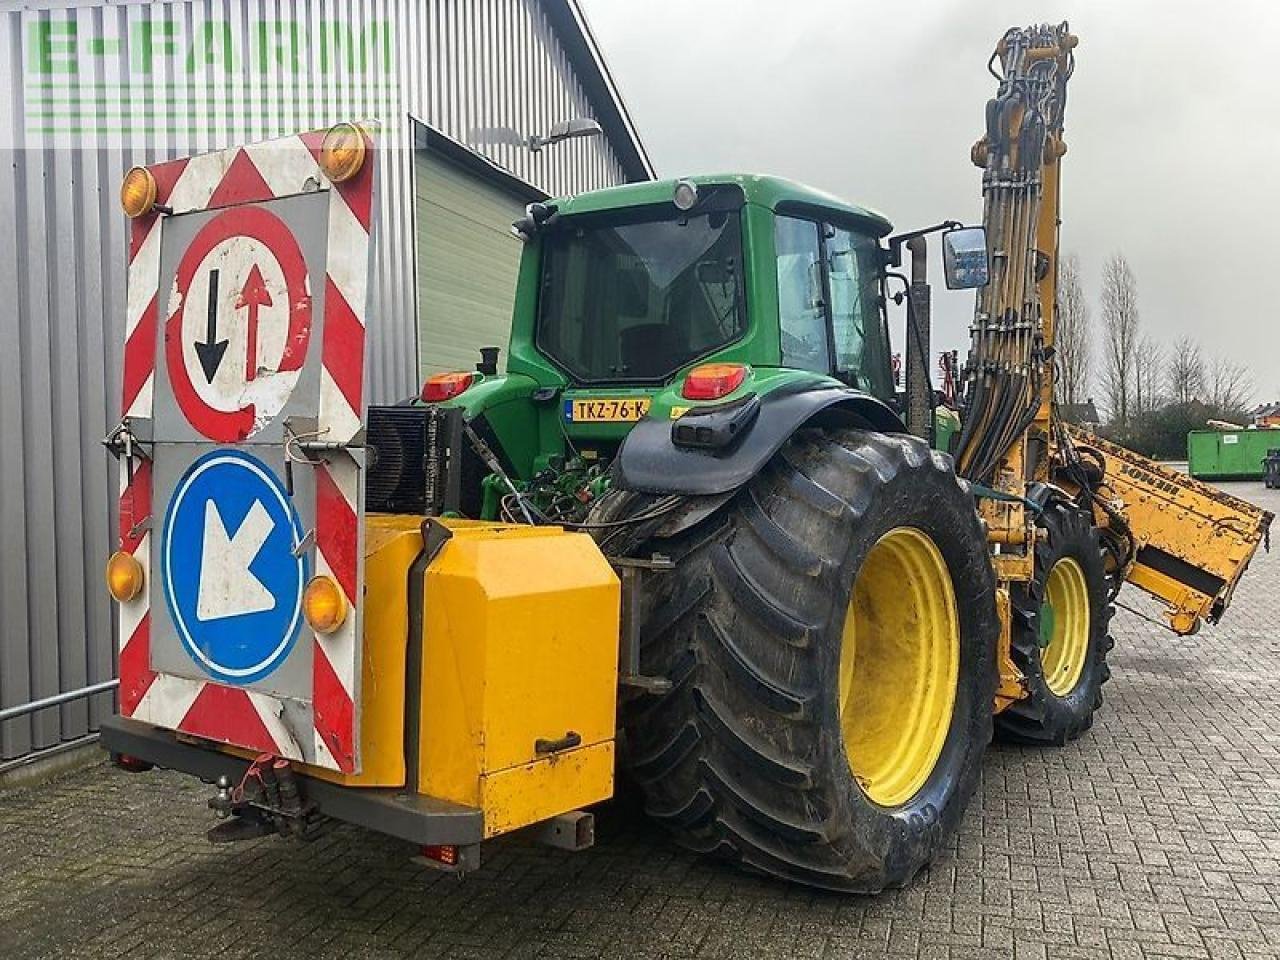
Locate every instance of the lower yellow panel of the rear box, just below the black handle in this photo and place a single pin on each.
(522, 796)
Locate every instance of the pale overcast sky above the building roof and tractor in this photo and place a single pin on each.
(1173, 127)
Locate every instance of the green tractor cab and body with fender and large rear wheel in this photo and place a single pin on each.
(701, 376)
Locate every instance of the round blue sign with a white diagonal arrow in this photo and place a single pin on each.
(227, 559)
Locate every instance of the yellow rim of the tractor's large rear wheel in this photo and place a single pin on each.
(899, 664)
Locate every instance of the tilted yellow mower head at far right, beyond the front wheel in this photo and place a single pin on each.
(1192, 542)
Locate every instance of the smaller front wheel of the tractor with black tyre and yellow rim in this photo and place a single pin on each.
(1060, 639)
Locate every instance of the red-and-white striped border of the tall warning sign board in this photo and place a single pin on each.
(322, 729)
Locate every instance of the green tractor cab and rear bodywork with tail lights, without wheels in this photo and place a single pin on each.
(705, 299)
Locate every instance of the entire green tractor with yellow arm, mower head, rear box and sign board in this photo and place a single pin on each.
(694, 520)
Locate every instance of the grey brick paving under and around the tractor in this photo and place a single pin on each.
(1156, 836)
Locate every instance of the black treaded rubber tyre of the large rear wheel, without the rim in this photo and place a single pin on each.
(728, 757)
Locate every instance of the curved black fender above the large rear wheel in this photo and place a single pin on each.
(651, 461)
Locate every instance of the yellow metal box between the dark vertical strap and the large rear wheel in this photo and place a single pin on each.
(520, 644)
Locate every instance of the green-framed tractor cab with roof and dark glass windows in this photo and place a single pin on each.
(638, 285)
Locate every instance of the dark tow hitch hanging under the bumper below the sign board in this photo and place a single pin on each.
(267, 801)
